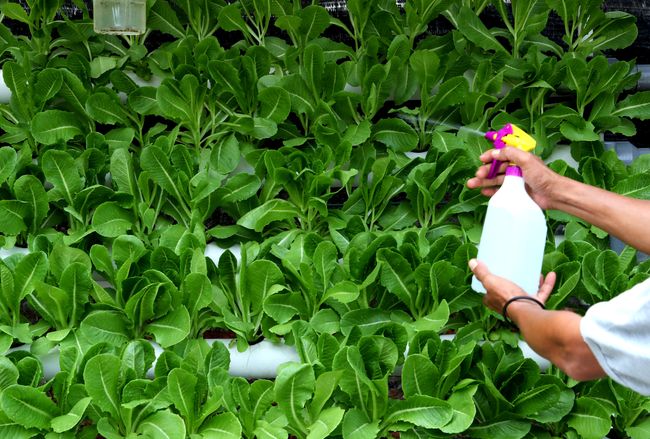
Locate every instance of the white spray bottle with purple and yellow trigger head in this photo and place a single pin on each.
(514, 231)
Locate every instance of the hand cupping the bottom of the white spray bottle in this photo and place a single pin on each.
(499, 290)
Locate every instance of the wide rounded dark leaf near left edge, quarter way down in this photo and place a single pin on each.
(55, 126)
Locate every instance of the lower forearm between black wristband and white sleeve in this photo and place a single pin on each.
(555, 335)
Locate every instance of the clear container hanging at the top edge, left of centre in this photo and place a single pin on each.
(122, 17)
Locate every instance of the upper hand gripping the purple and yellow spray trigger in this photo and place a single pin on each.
(541, 182)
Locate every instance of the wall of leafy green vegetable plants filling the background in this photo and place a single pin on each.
(270, 131)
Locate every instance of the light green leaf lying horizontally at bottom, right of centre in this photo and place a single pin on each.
(423, 411)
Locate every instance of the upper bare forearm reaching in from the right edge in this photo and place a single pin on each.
(624, 217)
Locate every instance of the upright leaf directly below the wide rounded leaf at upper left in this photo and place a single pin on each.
(60, 170)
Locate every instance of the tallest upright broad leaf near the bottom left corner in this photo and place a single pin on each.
(101, 376)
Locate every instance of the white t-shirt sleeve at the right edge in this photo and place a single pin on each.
(618, 333)
